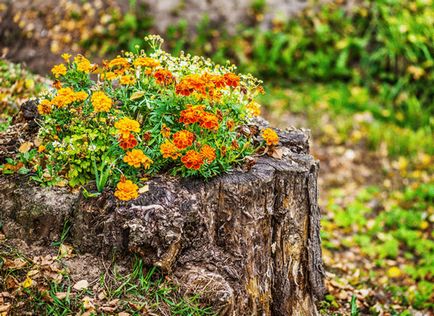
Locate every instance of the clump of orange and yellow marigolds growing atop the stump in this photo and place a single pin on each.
(141, 114)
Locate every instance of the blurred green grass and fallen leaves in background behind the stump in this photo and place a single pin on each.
(359, 74)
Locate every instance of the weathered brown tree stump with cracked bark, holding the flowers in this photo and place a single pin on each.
(247, 241)
